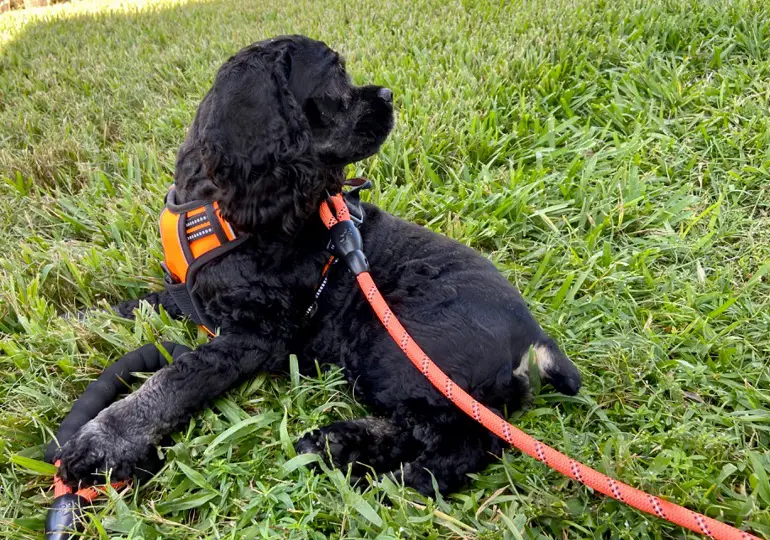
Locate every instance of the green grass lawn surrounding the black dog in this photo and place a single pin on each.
(612, 158)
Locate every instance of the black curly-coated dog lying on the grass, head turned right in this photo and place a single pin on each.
(269, 140)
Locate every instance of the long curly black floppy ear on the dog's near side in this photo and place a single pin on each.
(254, 144)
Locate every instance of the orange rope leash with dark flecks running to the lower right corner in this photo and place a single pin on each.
(514, 436)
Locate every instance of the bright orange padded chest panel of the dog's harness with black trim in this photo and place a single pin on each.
(193, 234)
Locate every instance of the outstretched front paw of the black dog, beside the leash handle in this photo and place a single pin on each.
(95, 450)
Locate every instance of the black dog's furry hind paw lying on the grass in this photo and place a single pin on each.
(364, 444)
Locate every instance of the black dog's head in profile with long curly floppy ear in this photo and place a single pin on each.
(276, 130)
